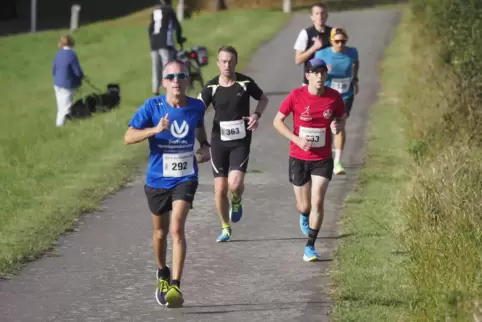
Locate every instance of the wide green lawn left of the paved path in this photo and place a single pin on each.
(49, 176)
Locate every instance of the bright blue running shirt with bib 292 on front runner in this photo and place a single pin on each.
(172, 158)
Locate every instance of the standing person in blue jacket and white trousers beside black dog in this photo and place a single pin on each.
(68, 76)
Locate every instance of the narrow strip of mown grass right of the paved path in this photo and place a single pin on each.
(370, 281)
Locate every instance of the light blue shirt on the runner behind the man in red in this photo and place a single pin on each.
(340, 69)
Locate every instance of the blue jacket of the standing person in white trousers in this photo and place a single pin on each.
(66, 69)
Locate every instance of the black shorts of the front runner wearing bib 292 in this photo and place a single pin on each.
(160, 200)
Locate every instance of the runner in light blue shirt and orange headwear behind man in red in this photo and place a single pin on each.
(343, 65)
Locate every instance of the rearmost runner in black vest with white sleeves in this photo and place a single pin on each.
(313, 38)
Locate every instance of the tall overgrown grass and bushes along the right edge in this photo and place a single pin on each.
(443, 116)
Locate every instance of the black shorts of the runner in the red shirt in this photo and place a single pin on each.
(300, 171)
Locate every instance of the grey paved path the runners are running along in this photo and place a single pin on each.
(106, 270)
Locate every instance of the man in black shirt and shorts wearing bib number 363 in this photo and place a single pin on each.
(229, 93)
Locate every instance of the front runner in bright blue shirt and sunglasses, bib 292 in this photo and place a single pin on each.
(171, 123)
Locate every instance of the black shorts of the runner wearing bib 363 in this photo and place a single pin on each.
(225, 158)
